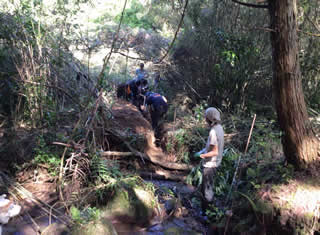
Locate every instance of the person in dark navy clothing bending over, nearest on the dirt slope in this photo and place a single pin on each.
(158, 106)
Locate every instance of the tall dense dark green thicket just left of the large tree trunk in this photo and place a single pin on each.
(218, 59)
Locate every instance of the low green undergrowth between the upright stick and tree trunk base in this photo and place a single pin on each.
(262, 160)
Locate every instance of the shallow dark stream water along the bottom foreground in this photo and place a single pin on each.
(187, 224)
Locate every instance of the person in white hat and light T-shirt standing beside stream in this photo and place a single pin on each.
(212, 154)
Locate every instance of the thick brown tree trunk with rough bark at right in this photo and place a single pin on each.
(298, 140)
